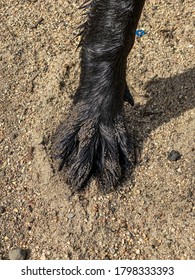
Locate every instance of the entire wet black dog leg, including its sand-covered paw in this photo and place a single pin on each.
(95, 140)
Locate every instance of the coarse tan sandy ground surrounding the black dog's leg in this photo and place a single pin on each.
(151, 216)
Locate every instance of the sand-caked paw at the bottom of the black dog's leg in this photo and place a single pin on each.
(92, 147)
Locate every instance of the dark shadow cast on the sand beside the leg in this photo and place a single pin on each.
(167, 98)
